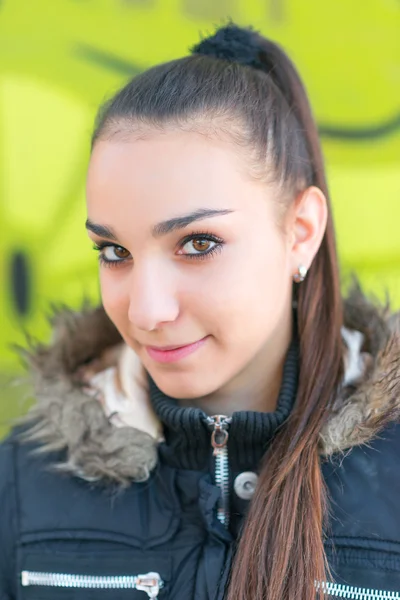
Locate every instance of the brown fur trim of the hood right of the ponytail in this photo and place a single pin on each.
(364, 408)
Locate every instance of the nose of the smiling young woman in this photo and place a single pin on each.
(153, 299)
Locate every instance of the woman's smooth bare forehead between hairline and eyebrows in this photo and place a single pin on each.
(166, 174)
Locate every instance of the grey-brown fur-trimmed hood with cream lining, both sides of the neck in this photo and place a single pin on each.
(69, 417)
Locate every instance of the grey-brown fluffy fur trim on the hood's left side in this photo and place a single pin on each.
(68, 418)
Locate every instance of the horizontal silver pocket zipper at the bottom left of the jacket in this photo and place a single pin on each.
(151, 583)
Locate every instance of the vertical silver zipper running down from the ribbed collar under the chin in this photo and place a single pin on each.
(219, 440)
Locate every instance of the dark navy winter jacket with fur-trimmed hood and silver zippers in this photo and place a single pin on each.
(68, 530)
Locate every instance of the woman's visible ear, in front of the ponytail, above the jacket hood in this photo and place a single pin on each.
(307, 224)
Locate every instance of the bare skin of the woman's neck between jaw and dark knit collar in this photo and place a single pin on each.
(256, 387)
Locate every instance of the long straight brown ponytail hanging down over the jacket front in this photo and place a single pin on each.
(281, 555)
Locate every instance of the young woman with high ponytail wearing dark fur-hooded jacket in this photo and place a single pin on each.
(211, 431)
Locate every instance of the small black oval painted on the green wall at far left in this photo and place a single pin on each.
(20, 282)
